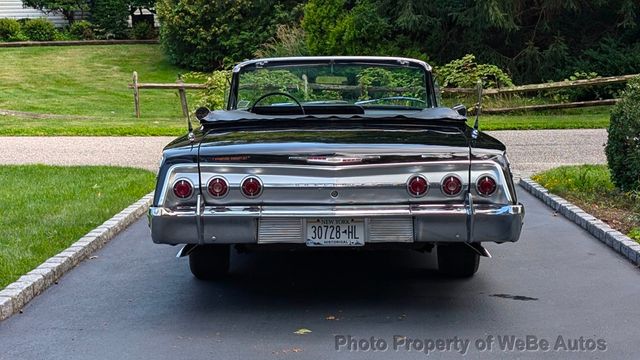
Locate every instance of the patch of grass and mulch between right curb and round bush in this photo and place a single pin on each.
(590, 187)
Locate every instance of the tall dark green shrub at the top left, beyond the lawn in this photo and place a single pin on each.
(110, 18)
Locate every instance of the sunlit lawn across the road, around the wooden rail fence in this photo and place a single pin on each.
(91, 81)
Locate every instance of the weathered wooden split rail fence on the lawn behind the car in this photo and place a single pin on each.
(182, 87)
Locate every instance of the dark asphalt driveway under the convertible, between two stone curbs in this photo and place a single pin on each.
(136, 301)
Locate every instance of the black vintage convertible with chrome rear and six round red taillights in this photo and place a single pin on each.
(351, 152)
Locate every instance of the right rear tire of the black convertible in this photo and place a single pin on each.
(457, 260)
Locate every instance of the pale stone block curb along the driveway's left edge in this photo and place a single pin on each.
(17, 294)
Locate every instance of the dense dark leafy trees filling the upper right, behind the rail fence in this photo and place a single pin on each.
(534, 40)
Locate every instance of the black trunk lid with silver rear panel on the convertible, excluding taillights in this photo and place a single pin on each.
(334, 165)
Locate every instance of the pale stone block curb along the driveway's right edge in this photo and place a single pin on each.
(616, 240)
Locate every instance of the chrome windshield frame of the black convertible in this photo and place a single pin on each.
(251, 65)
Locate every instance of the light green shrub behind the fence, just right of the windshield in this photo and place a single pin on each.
(466, 72)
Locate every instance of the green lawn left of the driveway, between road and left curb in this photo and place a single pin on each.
(47, 208)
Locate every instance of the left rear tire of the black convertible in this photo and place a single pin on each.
(210, 262)
